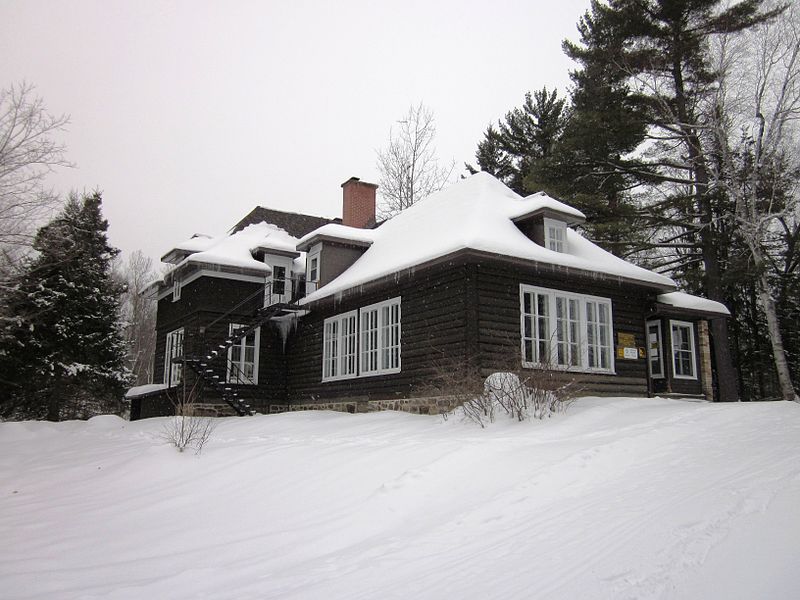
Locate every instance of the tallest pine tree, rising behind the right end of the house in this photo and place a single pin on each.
(664, 58)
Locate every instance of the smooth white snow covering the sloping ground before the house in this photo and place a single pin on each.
(620, 498)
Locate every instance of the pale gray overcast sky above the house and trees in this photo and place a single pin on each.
(188, 114)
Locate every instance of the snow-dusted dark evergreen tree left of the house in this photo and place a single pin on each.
(63, 353)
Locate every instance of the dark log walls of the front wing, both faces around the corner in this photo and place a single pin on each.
(465, 307)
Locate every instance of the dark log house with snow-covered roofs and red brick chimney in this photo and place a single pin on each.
(291, 312)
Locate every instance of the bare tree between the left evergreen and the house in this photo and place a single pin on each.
(139, 315)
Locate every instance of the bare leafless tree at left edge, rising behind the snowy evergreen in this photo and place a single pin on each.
(28, 152)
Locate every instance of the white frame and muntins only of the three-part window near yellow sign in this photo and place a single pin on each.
(552, 342)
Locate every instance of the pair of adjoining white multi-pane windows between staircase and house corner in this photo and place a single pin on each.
(364, 342)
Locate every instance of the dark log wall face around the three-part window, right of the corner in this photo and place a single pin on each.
(497, 285)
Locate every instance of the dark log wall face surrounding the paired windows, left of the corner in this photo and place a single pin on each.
(433, 332)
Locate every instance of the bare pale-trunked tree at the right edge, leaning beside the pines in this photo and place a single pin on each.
(756, 110)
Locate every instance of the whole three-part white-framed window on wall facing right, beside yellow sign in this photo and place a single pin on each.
(565, 330)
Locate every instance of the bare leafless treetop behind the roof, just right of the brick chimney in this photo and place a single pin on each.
(408, 166)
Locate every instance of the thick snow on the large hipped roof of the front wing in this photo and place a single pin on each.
(475, 213)
